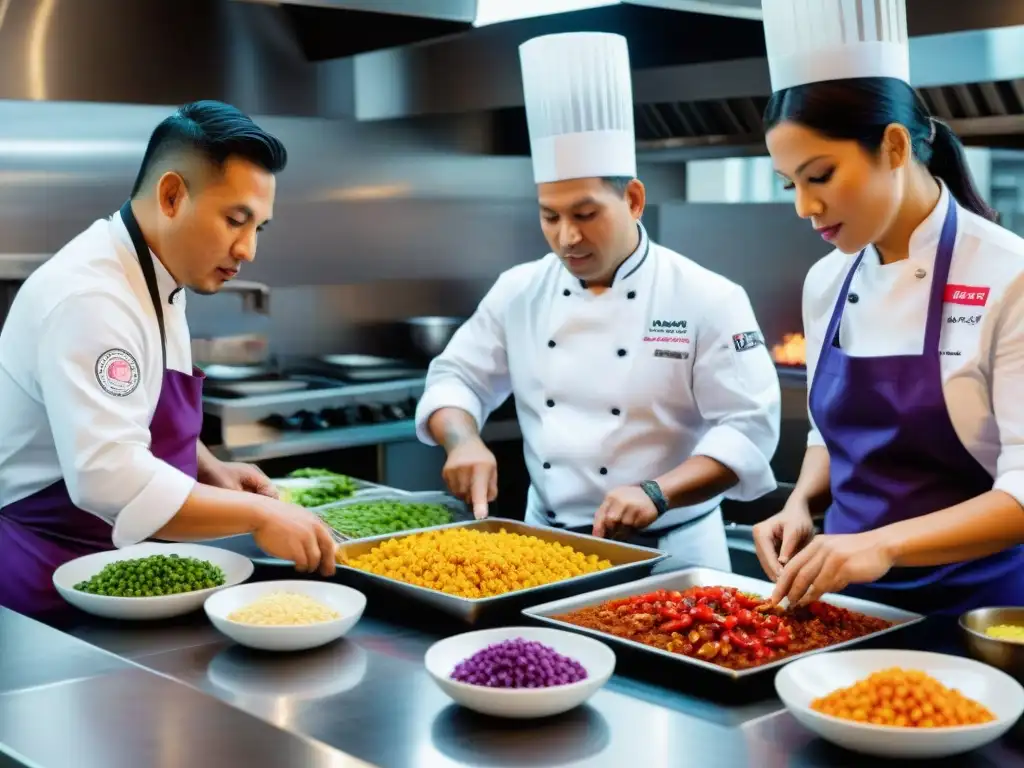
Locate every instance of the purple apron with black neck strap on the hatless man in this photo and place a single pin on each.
(45, 531)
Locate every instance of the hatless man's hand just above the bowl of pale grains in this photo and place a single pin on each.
(291, 533)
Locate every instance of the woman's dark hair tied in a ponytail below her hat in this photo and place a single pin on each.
(860, 110)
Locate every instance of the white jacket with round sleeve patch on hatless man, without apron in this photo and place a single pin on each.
(56, 419)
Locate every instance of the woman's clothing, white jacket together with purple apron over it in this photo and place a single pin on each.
(917, 372)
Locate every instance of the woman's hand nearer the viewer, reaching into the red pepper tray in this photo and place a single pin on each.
(830, 564)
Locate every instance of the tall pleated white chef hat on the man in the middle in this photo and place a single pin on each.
(579, 106)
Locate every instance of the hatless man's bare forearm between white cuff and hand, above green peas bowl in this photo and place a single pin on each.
(210, 513)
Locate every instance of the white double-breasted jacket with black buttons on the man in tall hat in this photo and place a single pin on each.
(618, 388)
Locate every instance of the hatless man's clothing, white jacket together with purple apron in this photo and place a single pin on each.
(101, 409)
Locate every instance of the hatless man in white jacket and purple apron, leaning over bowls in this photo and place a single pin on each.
(101, 407)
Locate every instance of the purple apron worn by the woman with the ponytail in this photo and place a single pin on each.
(894, 456)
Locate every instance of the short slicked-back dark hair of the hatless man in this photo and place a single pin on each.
(216, 132)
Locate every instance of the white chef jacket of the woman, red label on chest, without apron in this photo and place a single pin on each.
(982, 346)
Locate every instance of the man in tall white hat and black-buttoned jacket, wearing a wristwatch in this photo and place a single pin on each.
(644, 387)
